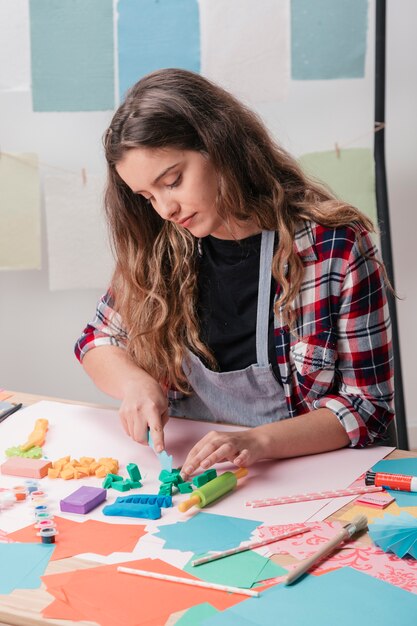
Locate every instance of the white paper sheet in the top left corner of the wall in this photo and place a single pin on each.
(14, 45)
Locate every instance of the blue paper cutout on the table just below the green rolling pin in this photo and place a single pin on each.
(207, 531)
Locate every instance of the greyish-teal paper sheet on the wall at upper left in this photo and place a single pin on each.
(72, 55)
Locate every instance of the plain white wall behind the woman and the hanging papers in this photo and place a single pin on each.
(38, 327)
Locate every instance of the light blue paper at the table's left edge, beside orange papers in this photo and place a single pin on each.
(26, 563)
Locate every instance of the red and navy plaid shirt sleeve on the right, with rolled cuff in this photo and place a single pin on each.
(364, 399)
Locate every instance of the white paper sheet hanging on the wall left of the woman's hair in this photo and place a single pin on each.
(78, 251)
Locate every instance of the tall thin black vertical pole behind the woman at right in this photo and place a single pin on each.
(383, 213)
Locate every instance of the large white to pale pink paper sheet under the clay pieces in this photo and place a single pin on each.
(86, 431)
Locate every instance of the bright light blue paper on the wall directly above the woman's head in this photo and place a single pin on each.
(153, 34)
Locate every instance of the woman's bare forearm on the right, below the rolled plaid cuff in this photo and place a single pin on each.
(314, 432)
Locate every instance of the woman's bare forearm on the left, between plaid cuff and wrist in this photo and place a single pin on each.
(112, 370)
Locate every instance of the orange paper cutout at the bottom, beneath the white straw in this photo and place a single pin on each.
(104, 595)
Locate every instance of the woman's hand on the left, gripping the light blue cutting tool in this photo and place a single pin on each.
(144, 406)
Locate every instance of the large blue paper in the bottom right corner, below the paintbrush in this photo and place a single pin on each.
(342, 597)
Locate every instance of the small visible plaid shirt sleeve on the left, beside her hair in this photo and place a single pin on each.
(105, 329)
